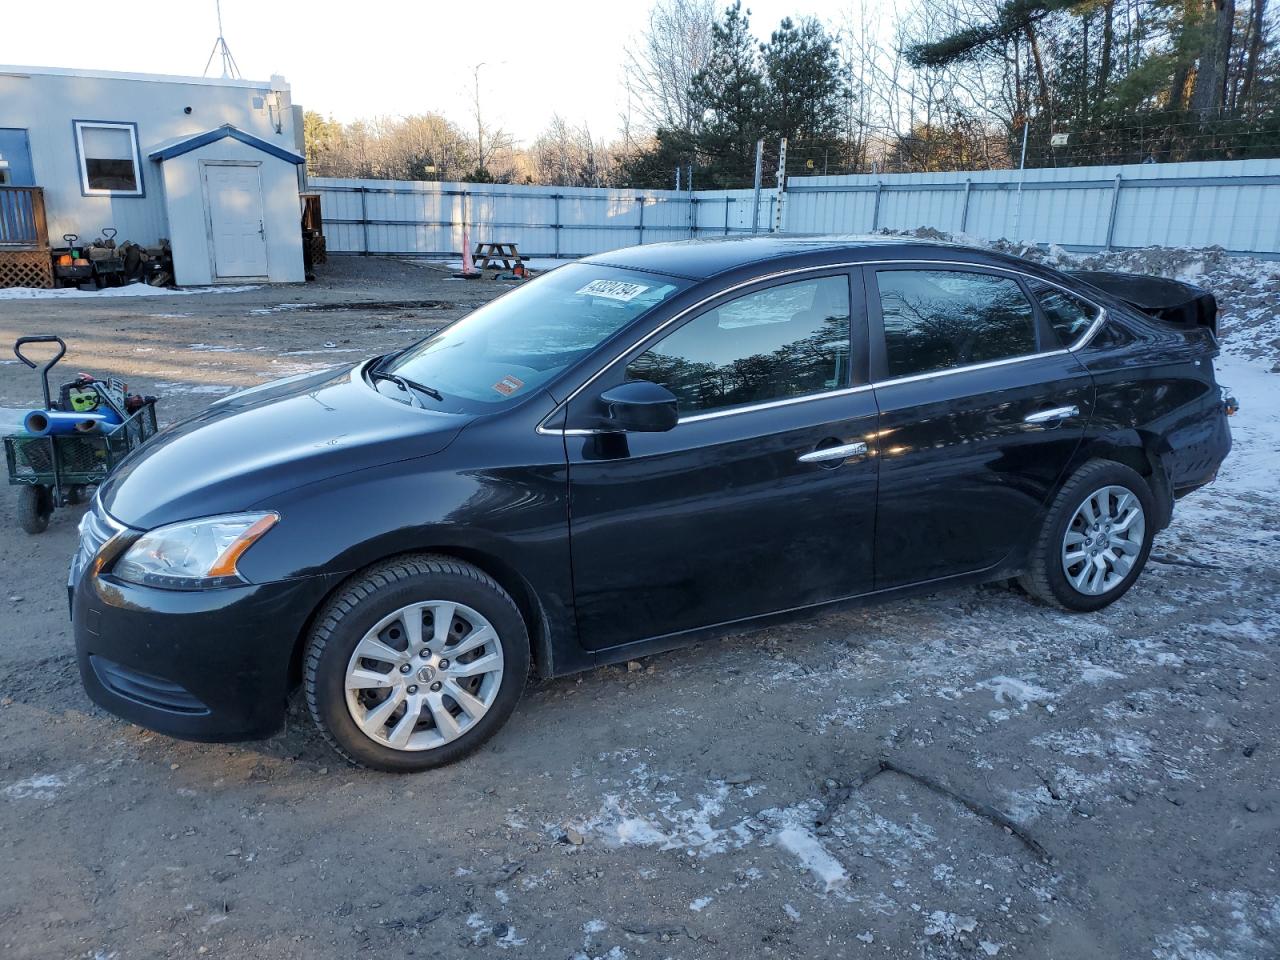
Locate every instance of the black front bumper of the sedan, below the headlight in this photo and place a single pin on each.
(211, 665)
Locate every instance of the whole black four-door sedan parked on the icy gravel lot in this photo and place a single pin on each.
(633, 452)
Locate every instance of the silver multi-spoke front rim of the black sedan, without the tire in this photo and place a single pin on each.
(424, 675)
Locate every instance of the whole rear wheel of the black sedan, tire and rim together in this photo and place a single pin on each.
(1057, 573)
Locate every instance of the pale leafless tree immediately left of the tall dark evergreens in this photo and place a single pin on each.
(660, 71)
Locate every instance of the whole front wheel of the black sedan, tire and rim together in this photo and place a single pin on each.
(463, 684)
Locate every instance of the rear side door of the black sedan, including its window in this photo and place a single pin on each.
(981, 413)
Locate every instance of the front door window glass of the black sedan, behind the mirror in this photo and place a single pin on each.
(785, 341)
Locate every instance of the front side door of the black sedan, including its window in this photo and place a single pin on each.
(761, 500)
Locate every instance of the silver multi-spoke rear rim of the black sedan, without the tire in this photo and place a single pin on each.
(1104, 541)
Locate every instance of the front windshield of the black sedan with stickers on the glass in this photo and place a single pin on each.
(509, 349)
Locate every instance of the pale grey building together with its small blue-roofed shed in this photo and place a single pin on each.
(212, 166)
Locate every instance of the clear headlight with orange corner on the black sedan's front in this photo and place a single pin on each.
(195, 554)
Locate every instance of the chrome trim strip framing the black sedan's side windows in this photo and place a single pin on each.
(1084, 341)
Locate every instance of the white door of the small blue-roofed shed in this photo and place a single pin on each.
(235, 198)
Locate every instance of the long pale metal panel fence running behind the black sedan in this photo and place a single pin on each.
(1235, 204)
